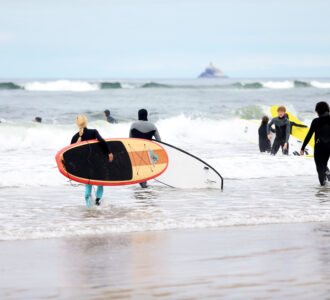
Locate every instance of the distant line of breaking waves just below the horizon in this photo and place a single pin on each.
(88, 86)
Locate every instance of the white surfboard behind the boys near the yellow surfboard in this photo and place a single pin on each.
(249, 131)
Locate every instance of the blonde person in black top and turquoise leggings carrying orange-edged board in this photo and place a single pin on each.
(86, 134)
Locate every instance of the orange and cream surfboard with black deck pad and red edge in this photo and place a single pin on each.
(135, 160)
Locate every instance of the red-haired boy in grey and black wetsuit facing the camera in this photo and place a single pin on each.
(282, 131)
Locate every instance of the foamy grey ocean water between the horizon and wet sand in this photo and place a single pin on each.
(201, 116)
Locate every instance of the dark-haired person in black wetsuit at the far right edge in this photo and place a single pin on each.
(321, 127)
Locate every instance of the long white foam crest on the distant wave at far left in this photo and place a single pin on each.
(61, 85)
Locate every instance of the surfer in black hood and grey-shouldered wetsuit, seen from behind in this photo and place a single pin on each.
(143, 129)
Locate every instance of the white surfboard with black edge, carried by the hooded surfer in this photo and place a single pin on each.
(188, 171)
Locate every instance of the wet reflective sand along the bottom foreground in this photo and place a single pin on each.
(243, 262)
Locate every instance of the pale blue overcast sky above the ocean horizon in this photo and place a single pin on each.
(163, 39)
